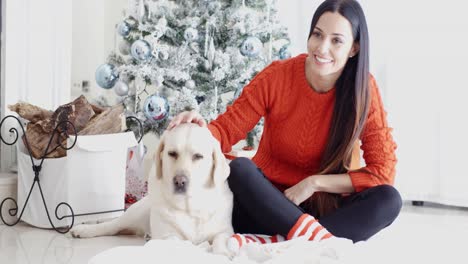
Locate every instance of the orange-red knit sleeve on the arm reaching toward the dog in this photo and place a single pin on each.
(241, 117)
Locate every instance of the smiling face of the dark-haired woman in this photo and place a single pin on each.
(330, 45)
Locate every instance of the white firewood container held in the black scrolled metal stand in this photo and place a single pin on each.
(91, 179)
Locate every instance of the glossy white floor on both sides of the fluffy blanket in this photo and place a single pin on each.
(428, 234)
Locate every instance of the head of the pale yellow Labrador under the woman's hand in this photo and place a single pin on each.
(188, 159)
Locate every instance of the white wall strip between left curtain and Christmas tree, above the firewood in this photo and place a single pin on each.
(94, 37)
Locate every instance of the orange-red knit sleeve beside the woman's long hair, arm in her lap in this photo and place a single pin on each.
(377, 145)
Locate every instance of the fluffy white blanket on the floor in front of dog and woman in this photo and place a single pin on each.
(174, 251)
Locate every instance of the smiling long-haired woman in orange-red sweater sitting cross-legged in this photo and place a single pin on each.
(316, 107)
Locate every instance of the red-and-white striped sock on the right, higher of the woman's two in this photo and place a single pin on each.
(309, 227)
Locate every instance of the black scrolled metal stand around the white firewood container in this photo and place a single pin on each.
(60, 132)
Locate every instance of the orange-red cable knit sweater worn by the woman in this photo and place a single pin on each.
(297, 121)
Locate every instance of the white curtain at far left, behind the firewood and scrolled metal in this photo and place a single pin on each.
(37, 42)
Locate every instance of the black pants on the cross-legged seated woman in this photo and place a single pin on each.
(260, 208)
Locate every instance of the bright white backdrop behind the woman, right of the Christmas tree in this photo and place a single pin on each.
(418, 55)
